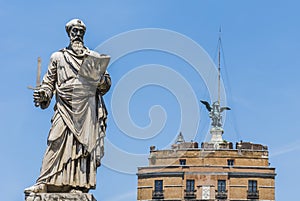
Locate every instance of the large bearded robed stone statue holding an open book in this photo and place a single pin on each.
(78, 78)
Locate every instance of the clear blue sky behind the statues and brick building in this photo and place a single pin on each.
(260, 70)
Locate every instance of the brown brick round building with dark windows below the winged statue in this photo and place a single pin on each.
(187, 172)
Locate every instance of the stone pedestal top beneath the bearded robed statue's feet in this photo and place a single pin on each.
(59, 197)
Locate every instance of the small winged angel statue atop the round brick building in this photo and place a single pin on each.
(215, 113)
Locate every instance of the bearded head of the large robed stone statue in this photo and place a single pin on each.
(76, 30)
